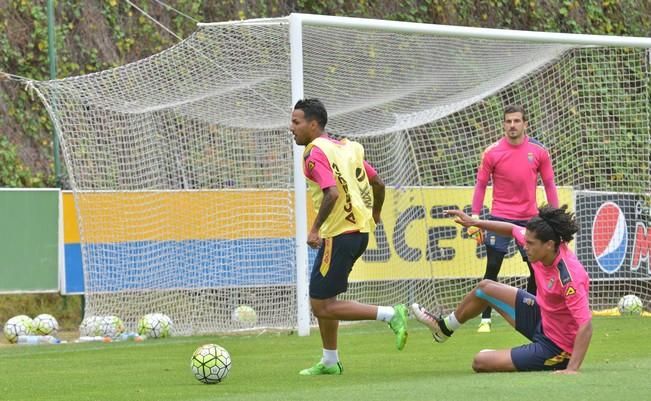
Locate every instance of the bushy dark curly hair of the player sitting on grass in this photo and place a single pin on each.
(553, 224)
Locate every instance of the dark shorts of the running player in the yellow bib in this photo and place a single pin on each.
(334, 262)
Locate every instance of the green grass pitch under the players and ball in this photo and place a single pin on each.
(265, 368)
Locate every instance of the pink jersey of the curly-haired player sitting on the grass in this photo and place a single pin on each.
(562, 294)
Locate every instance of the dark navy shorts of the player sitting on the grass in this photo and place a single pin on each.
(542, 353)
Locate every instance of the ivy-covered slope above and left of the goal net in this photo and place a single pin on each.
(95, 35)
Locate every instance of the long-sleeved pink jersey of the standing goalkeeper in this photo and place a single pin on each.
(514, 171)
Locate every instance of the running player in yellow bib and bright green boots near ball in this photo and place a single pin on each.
(348, 195)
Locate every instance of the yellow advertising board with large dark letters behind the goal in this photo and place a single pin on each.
(417, 240)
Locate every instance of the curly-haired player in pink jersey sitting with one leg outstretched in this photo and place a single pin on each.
(557, 320)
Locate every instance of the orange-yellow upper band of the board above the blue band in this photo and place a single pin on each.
(110, 217)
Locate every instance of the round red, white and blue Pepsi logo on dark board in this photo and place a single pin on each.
(609, 237)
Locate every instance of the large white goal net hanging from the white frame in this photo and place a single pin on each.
(182, 165)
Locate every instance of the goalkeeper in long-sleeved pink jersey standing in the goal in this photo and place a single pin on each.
(512, 164)
